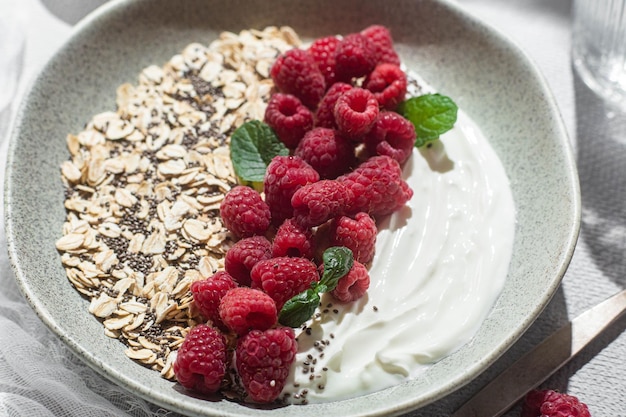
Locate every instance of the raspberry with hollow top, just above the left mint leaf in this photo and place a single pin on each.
(289, 118)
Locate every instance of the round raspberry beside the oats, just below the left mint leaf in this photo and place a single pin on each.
(244, 212)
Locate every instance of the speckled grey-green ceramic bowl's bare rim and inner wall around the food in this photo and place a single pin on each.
(489, 77)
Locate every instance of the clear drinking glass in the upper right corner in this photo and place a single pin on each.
(599, 47)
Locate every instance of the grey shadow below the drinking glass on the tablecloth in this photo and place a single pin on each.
(601, 139)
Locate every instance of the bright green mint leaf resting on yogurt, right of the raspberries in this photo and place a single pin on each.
(431, 114)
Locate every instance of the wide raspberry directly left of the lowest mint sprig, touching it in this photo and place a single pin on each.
(283, 277)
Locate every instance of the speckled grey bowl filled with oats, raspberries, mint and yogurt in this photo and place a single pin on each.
(289, 207)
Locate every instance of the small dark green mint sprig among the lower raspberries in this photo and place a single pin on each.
(338, 261)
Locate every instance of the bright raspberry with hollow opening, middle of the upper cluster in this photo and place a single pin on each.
(355, 112)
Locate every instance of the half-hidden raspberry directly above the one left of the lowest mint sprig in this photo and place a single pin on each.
(293, 240)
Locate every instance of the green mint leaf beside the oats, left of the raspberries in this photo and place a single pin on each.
(252, 147)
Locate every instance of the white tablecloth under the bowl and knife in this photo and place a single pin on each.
(39, 376)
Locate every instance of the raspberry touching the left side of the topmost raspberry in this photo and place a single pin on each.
(355, 57)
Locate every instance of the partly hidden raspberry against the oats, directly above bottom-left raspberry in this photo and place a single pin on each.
(207, 294)
